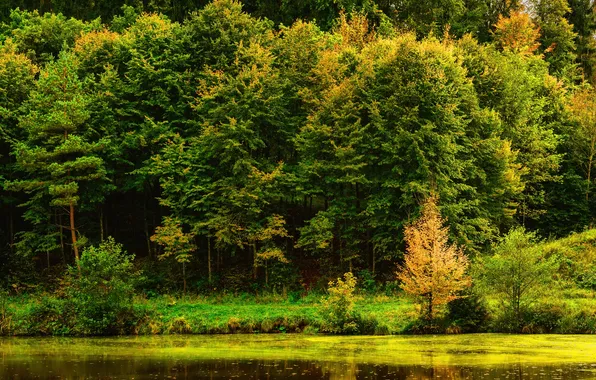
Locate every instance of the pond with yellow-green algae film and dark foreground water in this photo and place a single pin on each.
(483, 356)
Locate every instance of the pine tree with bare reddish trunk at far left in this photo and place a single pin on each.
(61, 161)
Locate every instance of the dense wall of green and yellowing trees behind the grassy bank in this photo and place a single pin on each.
(277, 143)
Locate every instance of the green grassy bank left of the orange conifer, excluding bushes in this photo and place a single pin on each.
(45, 315)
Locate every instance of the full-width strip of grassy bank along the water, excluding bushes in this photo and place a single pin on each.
(29, 315)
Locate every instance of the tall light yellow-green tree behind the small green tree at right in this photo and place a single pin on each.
(530, 105)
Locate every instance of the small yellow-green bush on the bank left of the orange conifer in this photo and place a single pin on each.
(337, 308)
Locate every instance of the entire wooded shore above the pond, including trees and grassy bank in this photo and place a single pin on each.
(158, 157)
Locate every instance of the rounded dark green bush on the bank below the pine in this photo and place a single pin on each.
(102, 293)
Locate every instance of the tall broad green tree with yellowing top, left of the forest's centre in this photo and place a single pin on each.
(222, 180)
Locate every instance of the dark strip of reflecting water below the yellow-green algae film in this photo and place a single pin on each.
(48, 368)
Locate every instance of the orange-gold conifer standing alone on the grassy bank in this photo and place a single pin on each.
(434, 270)
